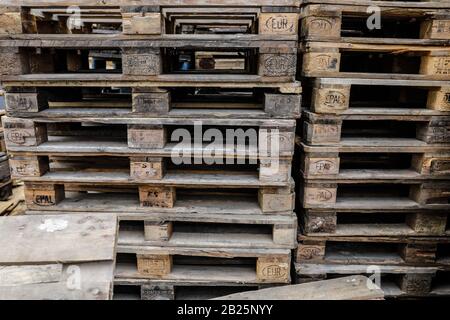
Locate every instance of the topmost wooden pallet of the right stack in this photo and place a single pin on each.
(337, 22)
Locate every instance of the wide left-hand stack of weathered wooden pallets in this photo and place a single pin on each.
(127, 113)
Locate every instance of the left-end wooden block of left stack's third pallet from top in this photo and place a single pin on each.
(25, 101)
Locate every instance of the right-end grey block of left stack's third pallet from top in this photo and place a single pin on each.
(288, 105)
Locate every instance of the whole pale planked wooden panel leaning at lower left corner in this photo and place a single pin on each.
(64, 257)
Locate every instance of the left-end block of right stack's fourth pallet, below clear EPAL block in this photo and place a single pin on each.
(322, 133)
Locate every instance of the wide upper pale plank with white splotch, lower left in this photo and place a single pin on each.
(77, 238)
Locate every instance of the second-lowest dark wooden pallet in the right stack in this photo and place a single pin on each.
(390, 250)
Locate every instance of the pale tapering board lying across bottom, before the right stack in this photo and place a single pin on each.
(348, 288)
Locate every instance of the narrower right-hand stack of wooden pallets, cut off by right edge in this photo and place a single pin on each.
(374, 151)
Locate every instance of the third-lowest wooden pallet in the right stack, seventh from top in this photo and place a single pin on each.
(376, 222)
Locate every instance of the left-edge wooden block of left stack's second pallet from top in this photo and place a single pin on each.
(13, 61)
